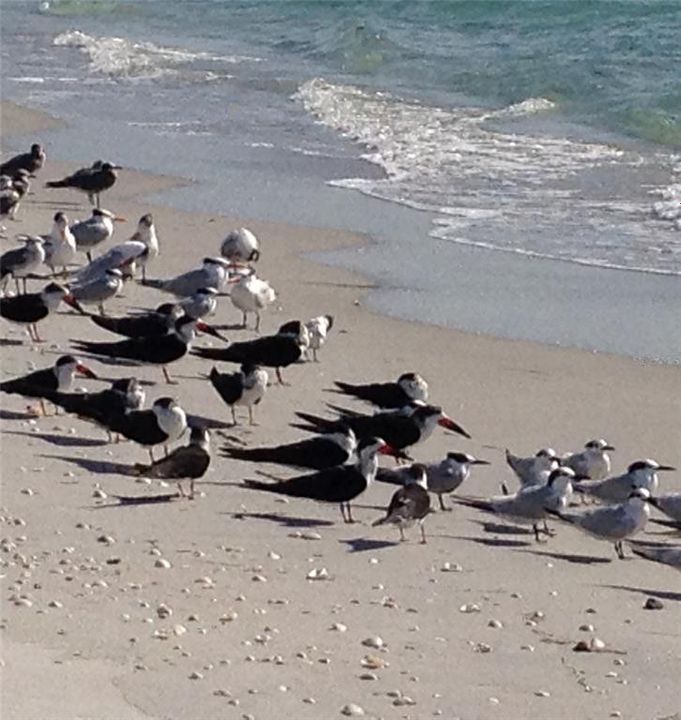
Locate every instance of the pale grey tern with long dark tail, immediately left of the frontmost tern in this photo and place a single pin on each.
(530, 504)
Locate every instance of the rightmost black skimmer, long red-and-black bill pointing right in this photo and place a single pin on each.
(401, 429)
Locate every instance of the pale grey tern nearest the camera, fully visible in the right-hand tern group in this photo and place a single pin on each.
(615, 523)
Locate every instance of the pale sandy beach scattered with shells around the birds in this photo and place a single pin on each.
(250, 636)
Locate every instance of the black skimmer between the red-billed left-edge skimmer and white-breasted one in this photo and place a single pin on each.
(102, 407)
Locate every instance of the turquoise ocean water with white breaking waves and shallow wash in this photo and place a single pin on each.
(545, 130)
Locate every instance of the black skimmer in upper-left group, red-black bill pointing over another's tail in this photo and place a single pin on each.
(152, 350)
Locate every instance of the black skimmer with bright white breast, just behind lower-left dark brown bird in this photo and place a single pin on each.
(164, 423)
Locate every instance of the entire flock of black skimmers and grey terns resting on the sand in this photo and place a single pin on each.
(337, 457)
